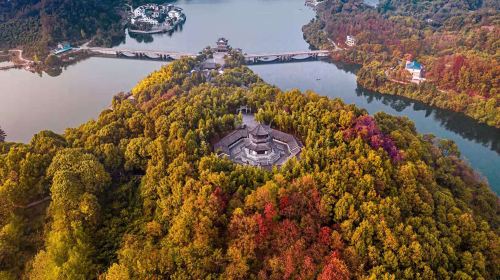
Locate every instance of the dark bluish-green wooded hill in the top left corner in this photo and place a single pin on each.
(37, 25)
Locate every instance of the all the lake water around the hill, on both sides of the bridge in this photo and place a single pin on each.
(30, 103)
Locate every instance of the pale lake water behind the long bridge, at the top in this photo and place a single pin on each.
(253, 25)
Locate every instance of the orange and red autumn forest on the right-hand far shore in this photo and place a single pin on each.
(456, 41)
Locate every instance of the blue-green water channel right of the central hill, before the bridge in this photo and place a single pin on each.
(478, 143)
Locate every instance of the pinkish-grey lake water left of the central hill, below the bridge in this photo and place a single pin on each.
(30, 103)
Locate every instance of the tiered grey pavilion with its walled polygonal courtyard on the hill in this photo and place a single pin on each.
(259, 145)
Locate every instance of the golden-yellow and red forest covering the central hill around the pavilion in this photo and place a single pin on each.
(139, 194)
